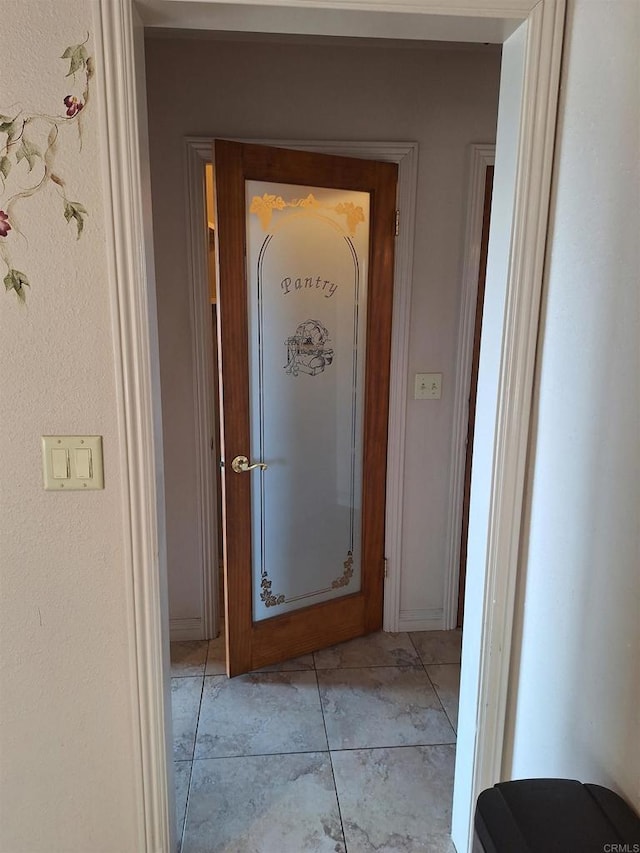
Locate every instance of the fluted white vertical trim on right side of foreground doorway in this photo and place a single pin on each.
(538, 116)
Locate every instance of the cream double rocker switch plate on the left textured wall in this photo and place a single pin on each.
(72, 462)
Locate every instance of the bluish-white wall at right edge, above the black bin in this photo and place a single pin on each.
(576, 692)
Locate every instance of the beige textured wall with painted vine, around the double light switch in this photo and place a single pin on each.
(68, 765)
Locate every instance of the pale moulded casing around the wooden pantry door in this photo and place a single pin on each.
(197, 156)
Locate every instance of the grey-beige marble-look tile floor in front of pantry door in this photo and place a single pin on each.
(348, 750)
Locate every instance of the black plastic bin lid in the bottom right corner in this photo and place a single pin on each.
(554, 816)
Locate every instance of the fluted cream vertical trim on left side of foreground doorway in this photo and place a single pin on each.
(129, 252)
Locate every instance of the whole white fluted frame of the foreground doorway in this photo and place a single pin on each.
(121, 101)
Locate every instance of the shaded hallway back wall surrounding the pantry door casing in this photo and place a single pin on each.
(443, 98)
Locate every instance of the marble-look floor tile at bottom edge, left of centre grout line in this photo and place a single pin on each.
(263, 804)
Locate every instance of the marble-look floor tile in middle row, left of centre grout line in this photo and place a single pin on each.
(260, 713)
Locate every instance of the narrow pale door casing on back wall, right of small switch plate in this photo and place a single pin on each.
(480, 156)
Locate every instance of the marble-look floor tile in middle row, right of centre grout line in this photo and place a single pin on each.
(381, 706)
